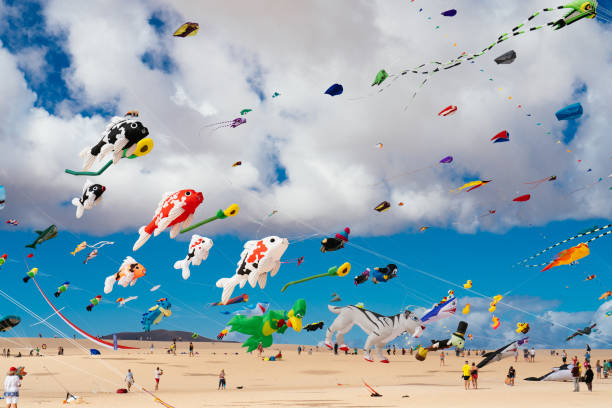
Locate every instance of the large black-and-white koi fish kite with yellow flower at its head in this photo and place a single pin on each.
(123, 137)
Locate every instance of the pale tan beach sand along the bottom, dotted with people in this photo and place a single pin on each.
(318, 380)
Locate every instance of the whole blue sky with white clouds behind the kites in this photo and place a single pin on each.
(310, 158)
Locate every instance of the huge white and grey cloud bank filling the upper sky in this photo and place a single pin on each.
(325, 146)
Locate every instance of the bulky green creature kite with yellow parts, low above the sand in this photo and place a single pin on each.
(261, 328)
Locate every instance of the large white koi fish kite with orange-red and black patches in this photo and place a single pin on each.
(256, 260)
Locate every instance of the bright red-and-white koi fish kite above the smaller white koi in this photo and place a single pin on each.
(174, 210)
